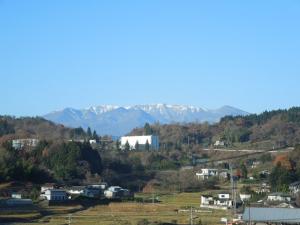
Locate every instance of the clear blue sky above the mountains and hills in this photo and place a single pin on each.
(55, 54)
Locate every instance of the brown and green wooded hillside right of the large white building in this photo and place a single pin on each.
(278, 128)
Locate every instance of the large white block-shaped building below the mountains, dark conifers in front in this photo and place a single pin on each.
(152, 140)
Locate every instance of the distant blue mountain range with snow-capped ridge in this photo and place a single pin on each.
(119, 120)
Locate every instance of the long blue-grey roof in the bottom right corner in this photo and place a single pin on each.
(285, 215)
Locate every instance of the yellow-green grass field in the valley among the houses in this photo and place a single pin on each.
(172, 207)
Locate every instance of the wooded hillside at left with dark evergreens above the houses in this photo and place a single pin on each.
(55, 158)
